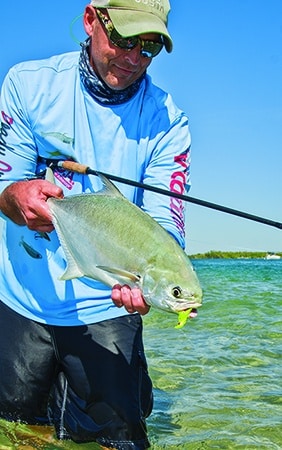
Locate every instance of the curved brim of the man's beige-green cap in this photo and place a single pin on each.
(132, 23)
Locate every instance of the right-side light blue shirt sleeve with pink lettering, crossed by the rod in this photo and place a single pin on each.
(169, 169)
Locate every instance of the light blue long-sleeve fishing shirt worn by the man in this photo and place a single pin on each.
(47, 113)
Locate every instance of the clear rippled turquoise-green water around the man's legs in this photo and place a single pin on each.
(217, 381)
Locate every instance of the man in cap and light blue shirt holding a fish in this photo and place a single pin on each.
(71, 352)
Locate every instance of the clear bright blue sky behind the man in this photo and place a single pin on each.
(226, 73)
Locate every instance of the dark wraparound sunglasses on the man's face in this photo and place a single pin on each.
(149, 49)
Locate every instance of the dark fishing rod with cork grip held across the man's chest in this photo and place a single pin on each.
(85, 170)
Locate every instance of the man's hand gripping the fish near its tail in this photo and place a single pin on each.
(24, 202)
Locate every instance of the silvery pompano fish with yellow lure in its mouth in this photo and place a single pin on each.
(106, 237)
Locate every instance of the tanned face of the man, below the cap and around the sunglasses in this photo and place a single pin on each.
(118, 68)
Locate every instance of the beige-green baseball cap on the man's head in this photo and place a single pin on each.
(135, 17)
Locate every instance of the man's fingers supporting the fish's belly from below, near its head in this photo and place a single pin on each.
(131, 298)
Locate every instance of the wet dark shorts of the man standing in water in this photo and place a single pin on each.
(91, 381)
